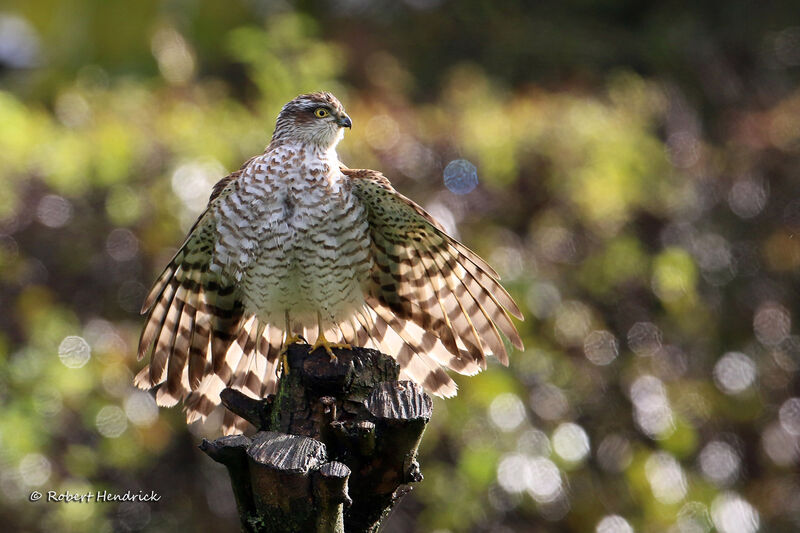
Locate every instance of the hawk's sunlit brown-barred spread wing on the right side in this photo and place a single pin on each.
(426, 283)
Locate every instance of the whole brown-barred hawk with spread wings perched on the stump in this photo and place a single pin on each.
(296, 245)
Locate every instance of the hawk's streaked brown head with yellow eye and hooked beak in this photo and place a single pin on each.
(314, 118)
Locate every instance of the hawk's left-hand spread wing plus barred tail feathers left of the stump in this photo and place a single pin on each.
(197, 333)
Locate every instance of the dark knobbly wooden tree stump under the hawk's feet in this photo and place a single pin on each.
(335, 448)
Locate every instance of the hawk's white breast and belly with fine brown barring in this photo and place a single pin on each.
(294, 237)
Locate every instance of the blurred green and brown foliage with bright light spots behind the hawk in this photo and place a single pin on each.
(638, 192)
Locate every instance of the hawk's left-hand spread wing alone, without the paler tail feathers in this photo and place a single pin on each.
(194, 315)
